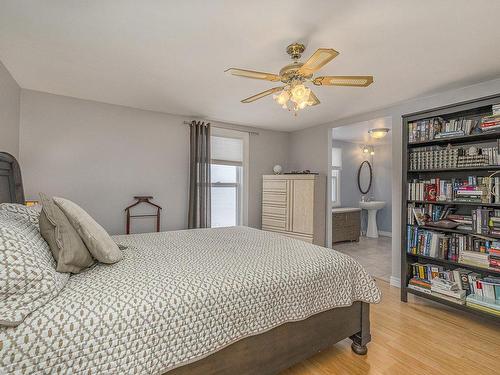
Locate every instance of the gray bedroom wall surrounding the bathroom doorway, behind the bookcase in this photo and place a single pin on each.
(310, 148)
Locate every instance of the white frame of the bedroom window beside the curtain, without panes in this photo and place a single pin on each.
(242, 188)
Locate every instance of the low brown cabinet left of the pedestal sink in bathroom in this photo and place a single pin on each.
(346, 224)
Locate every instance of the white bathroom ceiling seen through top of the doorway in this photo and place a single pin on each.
(358, 132)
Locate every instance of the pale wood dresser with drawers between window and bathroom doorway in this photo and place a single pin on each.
(294, 205)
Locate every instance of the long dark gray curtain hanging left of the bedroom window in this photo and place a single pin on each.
(199, 176)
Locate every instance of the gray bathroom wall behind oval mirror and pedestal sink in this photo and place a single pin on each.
(381, 188)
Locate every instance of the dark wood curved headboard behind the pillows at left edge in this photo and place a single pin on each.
(11, 183)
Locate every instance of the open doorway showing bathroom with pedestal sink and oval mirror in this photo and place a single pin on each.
(361, 193)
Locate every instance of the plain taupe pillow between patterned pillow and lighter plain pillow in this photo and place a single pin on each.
(68, 249)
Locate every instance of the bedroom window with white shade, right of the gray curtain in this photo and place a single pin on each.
(228, 170)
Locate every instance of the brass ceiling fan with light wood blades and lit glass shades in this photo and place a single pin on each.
(294, 95)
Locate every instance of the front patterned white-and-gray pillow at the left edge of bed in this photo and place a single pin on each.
(28, 278)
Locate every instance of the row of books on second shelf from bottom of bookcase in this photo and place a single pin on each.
(455, 247)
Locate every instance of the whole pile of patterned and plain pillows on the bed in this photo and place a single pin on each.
(40, 247)
